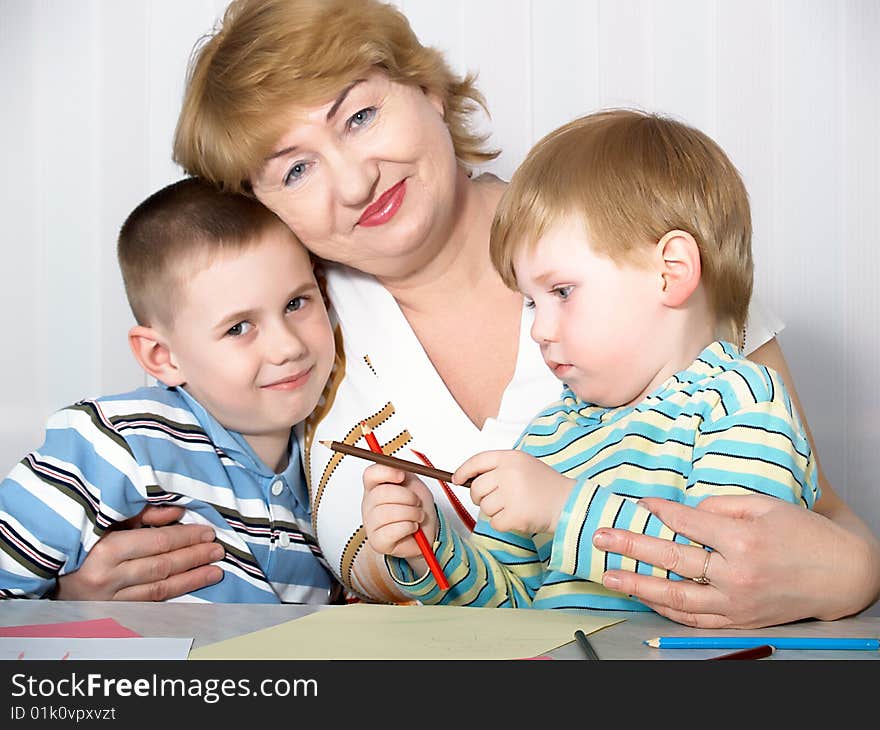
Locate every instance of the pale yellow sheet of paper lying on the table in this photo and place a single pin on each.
(366, 631)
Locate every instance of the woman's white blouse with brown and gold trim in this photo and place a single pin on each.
(384, 376)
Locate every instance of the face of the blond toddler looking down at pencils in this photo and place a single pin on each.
(594, 317)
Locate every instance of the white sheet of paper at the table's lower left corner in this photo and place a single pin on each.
(19, 647)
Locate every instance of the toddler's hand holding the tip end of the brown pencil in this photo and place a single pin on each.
(516, 491)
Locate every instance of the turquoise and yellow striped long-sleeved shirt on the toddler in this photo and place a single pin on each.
(725, 425)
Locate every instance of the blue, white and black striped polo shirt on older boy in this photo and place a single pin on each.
(103, 460)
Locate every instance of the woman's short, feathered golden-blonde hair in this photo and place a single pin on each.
(269, 56)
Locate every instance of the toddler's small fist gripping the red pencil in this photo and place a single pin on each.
(394, 505)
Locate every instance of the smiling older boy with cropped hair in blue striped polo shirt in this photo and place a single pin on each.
(231, 322)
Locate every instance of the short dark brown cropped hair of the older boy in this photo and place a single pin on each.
(185, 223)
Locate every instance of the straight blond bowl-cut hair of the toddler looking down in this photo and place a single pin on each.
(632, 177)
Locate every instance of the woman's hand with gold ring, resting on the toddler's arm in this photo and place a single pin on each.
(773, 562)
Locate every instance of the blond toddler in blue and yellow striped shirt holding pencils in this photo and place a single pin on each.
(630, 236)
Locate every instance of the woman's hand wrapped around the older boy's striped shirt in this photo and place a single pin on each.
(146, 565)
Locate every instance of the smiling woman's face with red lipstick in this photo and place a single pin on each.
(366, 179)
